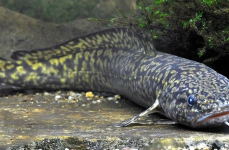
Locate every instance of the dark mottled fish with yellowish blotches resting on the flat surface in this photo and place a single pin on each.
(125, 62)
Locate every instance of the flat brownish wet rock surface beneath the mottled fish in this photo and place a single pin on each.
(55, 121)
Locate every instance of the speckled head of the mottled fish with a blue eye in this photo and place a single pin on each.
(198, 100)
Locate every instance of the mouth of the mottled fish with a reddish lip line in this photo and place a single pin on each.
(213, 119)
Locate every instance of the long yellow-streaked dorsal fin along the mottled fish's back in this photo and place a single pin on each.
(110, 38)
